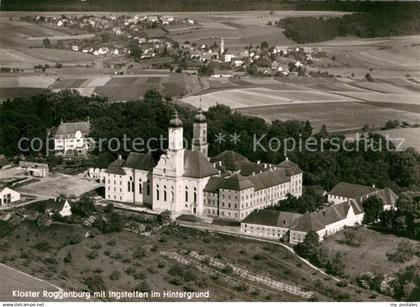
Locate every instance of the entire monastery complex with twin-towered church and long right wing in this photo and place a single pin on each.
(185, 181)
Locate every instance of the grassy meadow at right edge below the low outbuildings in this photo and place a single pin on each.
(370, 255)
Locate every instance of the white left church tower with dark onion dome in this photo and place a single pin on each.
(176, 143)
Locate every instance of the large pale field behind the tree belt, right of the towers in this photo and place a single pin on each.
(340, 106)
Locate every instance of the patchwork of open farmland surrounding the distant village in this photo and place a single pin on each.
(344, 101)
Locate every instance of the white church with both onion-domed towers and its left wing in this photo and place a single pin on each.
(170, 184)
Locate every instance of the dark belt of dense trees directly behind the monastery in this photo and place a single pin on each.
(32, 117)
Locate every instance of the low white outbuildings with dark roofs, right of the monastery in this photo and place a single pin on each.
(345, 210)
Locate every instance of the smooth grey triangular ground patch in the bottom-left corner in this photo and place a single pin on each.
(12, 279)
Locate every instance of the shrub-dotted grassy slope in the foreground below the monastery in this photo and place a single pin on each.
(128, 261)
